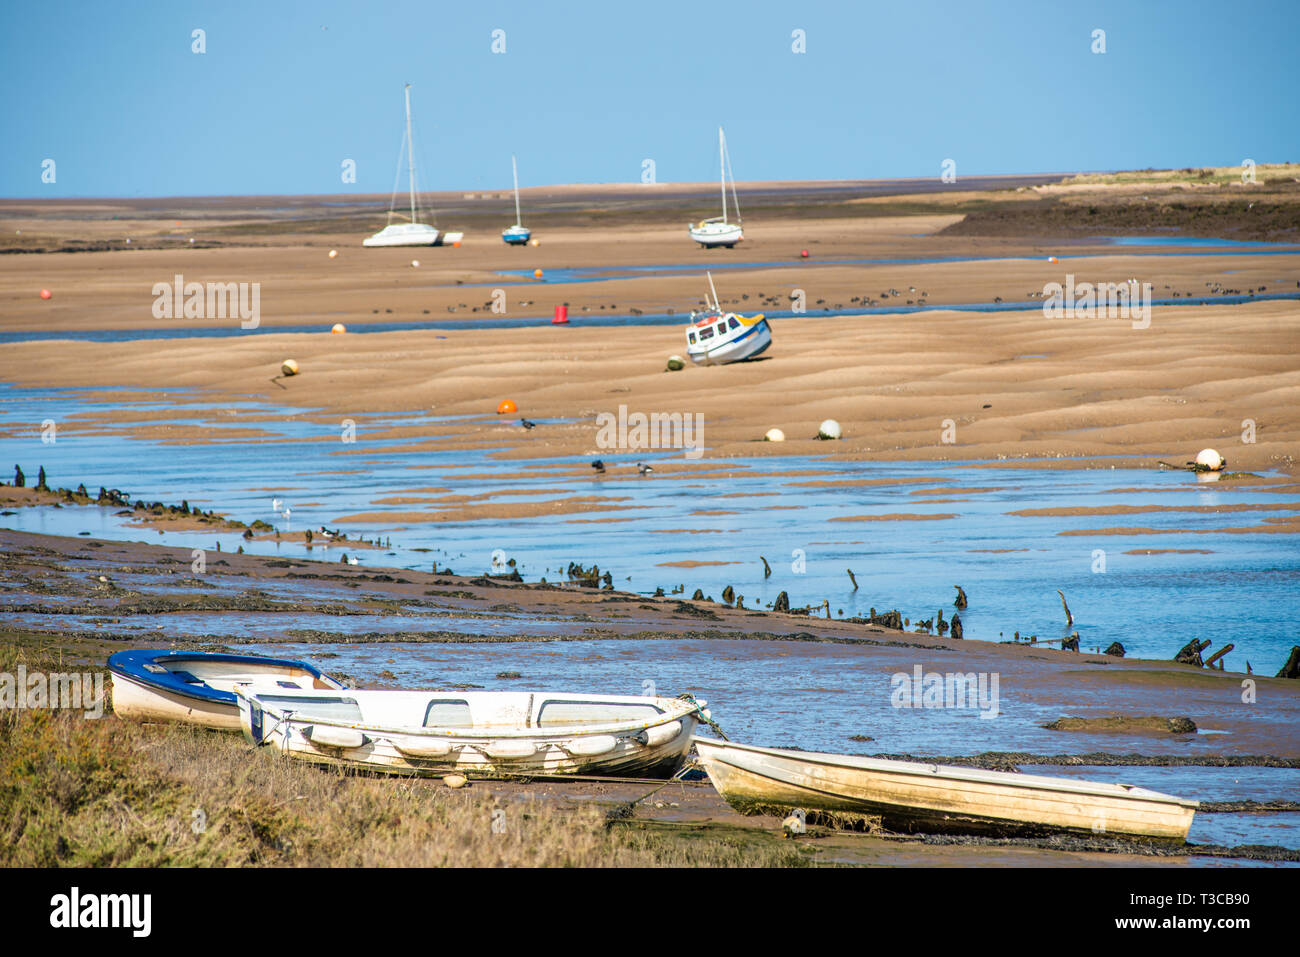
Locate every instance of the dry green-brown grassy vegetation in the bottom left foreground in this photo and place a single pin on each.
(77, 793)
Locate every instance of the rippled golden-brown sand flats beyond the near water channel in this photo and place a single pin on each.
(938, 386)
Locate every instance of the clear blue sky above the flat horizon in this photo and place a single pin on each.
(586, 92)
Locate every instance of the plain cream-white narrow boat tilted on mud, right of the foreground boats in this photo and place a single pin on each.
(913, 798)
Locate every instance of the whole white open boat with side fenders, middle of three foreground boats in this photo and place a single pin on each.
(486, 734)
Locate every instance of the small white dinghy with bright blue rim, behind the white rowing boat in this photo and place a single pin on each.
(198, 687)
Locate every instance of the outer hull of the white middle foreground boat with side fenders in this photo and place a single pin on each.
(656, 748)
